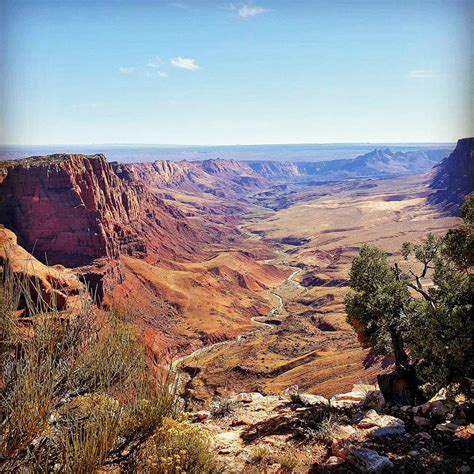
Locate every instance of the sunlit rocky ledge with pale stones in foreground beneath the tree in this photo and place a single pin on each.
(352, 432)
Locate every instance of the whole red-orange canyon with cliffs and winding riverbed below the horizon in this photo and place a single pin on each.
(236, 271)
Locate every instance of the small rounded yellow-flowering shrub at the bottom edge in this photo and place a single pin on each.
(179, 446)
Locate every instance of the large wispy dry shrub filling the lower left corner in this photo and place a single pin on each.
(75, 396)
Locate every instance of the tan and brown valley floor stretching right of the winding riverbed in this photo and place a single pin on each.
(306, 340)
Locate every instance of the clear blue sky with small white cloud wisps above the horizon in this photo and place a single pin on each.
(216, 72)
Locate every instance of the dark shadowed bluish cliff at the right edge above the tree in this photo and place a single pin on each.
(453, 178)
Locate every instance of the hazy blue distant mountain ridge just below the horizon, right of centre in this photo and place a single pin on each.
(377, 163)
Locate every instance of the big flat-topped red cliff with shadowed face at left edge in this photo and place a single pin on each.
(69, 209)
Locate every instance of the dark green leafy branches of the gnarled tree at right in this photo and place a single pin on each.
(422, 307)
